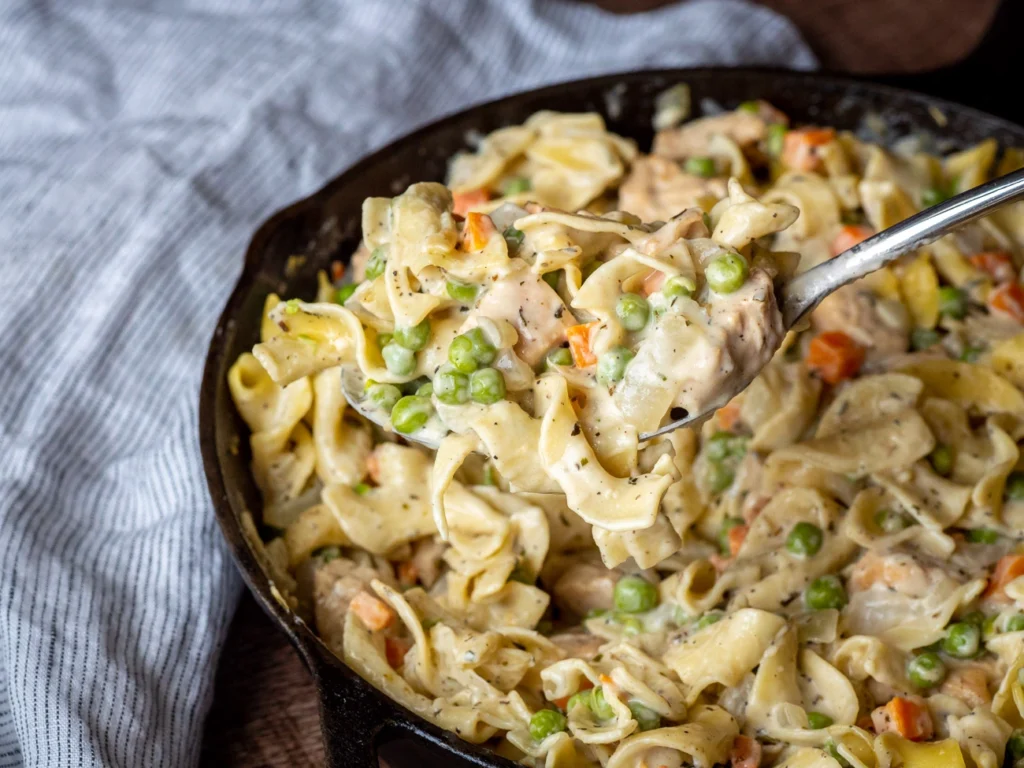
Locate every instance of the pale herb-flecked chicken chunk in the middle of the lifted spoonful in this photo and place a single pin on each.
(533, 308)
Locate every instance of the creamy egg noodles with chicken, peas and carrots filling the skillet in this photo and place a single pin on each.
(830, 572)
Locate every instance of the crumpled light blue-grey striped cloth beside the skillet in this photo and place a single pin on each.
(141, 145)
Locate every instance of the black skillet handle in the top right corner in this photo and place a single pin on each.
(973, 80)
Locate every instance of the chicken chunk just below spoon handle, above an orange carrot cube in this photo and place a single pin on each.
(870, 321)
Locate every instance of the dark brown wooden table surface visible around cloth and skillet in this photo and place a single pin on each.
(265, 709)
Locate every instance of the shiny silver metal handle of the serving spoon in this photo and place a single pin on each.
(804, 292)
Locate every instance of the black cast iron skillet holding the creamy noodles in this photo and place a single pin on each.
(359, 722)
